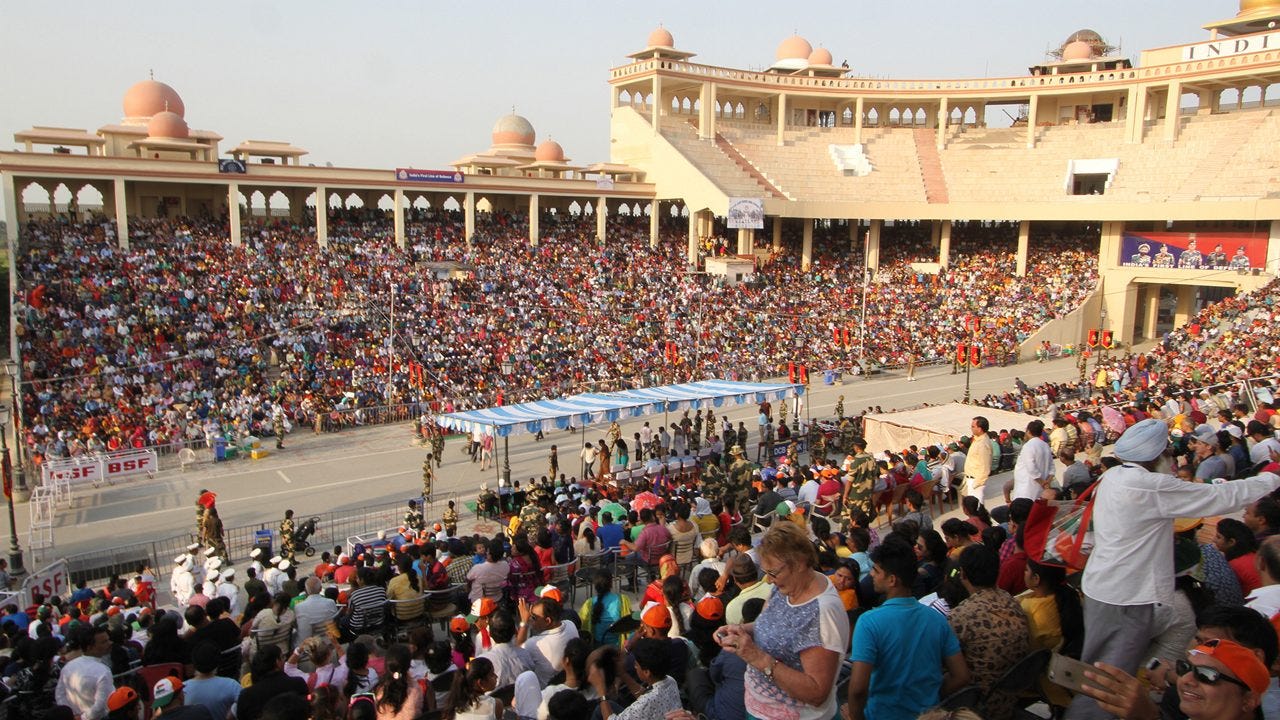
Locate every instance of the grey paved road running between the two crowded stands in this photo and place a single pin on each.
(381, 464)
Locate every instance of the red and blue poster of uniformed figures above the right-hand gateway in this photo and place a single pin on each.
(1195, 252)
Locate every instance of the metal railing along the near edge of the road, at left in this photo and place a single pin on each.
(332, 530)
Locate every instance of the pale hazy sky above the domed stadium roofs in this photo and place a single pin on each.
(386, 84)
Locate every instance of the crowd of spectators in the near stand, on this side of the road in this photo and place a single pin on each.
(726, 596)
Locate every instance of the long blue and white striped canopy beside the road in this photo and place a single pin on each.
(607, 407)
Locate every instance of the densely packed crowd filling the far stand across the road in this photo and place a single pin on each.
(184, 339)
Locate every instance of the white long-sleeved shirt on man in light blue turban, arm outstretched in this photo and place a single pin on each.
(1133, 513)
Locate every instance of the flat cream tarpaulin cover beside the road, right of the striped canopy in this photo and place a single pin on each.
(939, 425)
